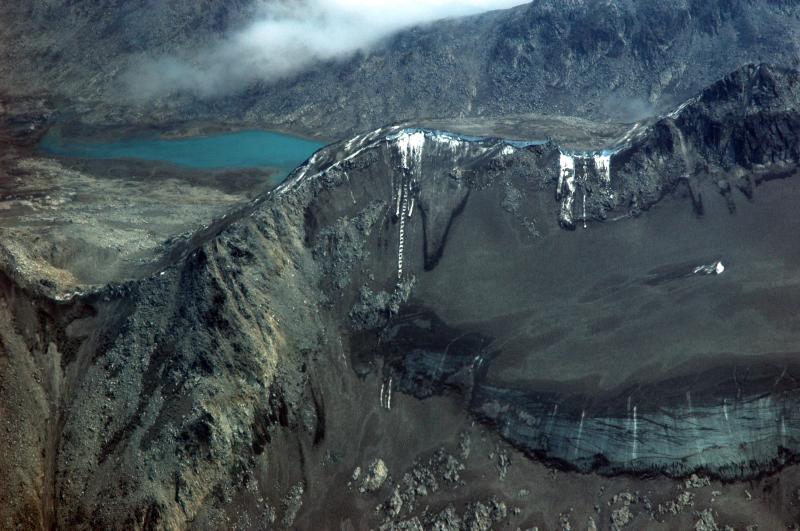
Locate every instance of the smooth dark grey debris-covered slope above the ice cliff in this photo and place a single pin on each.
(616, 304)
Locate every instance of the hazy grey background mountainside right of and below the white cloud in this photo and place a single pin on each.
(617, 61)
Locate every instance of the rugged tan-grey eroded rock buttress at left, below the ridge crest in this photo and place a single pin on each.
(166, 392)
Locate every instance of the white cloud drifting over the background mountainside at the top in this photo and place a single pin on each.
(288, 36)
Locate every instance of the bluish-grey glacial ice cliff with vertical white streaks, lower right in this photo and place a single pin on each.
(737, 437)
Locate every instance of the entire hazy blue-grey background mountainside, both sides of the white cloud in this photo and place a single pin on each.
(616, 60)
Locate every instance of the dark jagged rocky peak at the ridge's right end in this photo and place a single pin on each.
(740, 131)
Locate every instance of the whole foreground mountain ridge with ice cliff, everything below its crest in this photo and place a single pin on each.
(304, 366)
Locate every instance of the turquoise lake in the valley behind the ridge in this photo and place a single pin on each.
(243, 149)
